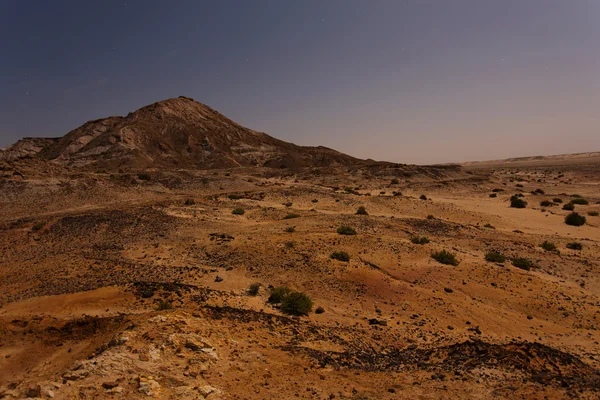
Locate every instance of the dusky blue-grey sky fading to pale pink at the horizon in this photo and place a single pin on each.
(415, 81)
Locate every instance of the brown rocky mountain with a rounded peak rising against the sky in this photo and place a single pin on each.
(174, 133)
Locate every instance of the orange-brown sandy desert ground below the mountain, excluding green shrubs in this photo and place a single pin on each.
(84, 271)
